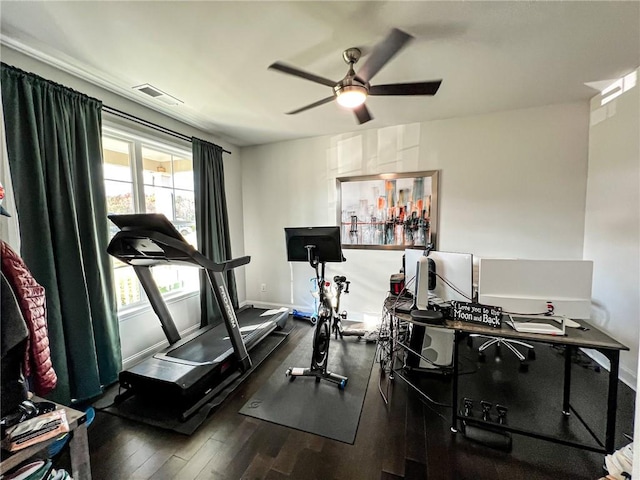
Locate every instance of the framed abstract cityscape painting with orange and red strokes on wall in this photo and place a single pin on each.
(388, 211)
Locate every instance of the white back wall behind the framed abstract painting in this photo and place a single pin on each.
(512, 184)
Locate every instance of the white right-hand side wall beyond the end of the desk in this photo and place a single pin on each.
(612, 221)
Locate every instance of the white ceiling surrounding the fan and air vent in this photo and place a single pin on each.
(214, 55)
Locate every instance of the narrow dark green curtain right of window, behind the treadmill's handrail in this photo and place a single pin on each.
(212, 223)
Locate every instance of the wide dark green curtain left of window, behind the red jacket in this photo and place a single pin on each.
(55, 157)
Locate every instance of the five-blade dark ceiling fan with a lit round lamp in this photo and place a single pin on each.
(354, 88)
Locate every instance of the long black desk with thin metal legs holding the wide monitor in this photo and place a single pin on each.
(575, 338)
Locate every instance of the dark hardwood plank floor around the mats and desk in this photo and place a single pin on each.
(409, 439)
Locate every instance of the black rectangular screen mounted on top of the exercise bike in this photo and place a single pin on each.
(325, 240)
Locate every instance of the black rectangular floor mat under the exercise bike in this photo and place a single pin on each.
(318, 408)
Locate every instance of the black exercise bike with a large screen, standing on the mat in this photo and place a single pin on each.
(322, 244)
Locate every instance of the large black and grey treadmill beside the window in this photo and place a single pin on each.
(193, 370)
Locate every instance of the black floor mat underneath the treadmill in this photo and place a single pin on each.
(163, 416)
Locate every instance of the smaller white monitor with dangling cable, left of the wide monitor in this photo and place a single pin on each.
(454, 276)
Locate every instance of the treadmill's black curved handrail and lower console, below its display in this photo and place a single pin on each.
(160, 239)
